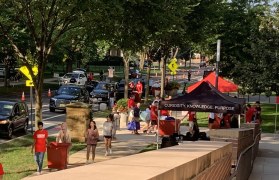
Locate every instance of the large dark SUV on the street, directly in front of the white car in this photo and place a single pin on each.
(67, 94)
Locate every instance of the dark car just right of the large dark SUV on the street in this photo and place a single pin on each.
(102, 91)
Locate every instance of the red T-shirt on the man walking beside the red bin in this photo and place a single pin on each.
(40, 137)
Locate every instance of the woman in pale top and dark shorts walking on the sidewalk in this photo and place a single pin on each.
(107, 133)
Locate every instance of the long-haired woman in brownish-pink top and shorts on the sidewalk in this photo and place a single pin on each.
(92, 136)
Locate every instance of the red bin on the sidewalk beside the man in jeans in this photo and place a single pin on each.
(57, 155)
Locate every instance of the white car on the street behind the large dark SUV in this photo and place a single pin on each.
(77, 78)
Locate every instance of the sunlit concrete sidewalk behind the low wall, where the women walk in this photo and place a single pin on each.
(125, 144)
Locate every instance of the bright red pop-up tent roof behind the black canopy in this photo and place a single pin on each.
(223, 85)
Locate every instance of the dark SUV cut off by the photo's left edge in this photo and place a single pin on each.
(13, 116)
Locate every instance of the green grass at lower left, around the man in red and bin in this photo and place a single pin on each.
(17, 160)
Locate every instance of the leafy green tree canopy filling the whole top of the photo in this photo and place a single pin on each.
(37, 32)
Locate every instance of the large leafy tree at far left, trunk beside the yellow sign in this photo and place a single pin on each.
(42, 24)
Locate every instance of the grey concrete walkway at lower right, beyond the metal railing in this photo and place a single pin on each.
(266, 165)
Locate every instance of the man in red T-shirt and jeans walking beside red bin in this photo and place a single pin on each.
(40, 144)
